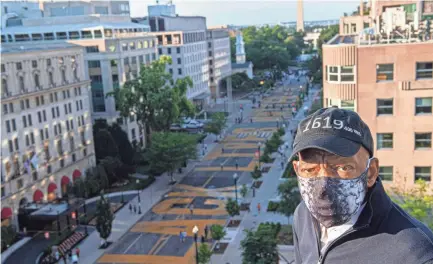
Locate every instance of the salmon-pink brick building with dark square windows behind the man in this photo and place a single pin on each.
(388, 81)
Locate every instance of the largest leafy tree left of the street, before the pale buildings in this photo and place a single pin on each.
(154, 98)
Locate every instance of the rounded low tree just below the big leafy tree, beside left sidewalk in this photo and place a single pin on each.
(169, 150)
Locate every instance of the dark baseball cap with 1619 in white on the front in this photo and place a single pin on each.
(338, 131)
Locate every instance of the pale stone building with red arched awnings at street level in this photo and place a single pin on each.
(47, 138)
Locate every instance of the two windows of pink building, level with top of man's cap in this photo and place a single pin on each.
(423, 105)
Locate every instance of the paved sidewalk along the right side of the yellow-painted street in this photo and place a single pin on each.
(267, 191)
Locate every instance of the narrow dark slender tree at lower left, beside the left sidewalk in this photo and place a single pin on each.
(104, 218)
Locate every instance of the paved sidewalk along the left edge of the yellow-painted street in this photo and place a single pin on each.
(124, 220)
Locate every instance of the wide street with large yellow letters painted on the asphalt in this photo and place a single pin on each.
(155, 237)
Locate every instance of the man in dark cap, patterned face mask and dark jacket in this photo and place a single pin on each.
(346, 217)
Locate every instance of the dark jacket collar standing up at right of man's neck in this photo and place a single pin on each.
(377, 207)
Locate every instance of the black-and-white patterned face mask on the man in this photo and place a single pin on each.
(333, 201)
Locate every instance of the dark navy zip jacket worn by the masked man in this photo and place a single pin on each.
(383, 234)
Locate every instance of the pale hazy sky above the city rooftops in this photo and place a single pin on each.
(242, 12)
